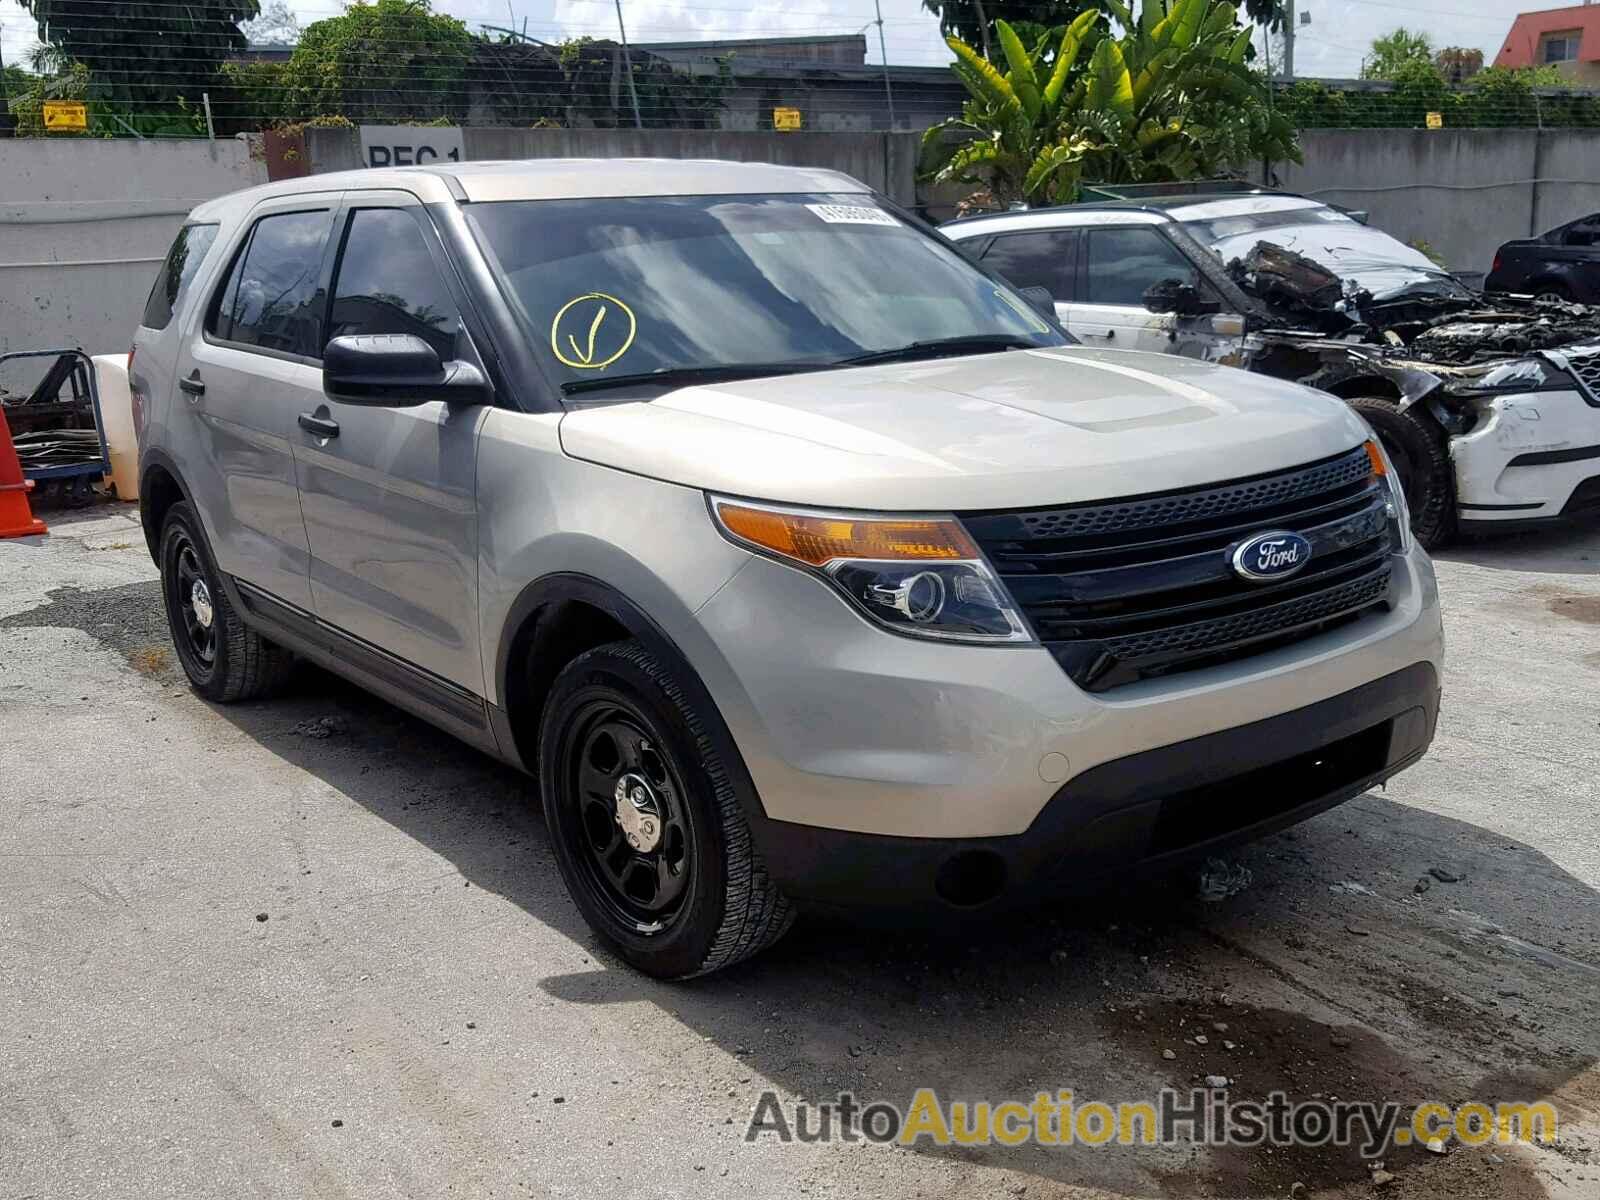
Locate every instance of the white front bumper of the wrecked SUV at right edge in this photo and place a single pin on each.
(1532, 457)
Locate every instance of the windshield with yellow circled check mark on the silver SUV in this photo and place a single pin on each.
(633, 286)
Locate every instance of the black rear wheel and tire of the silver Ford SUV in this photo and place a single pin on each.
(225, 660)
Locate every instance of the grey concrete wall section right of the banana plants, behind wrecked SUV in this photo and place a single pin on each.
(1462, 191)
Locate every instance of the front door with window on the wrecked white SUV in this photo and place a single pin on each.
(1116, 268)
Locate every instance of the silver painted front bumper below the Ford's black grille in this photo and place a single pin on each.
(847, 727)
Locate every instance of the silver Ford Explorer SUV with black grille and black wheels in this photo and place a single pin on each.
(798, 558)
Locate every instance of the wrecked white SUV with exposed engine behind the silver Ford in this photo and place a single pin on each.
(1490, 407)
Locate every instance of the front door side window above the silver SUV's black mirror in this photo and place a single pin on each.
(390, 284)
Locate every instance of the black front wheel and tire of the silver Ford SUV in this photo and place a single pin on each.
(647, 820)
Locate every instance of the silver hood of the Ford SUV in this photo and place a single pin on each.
(1017, 430)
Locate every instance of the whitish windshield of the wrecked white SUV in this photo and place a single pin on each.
(1358, 254)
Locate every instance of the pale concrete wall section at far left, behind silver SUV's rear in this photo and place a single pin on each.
(84, 225)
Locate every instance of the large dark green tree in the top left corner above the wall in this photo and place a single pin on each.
(150, 54)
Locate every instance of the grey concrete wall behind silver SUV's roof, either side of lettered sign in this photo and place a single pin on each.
(886, 161)
